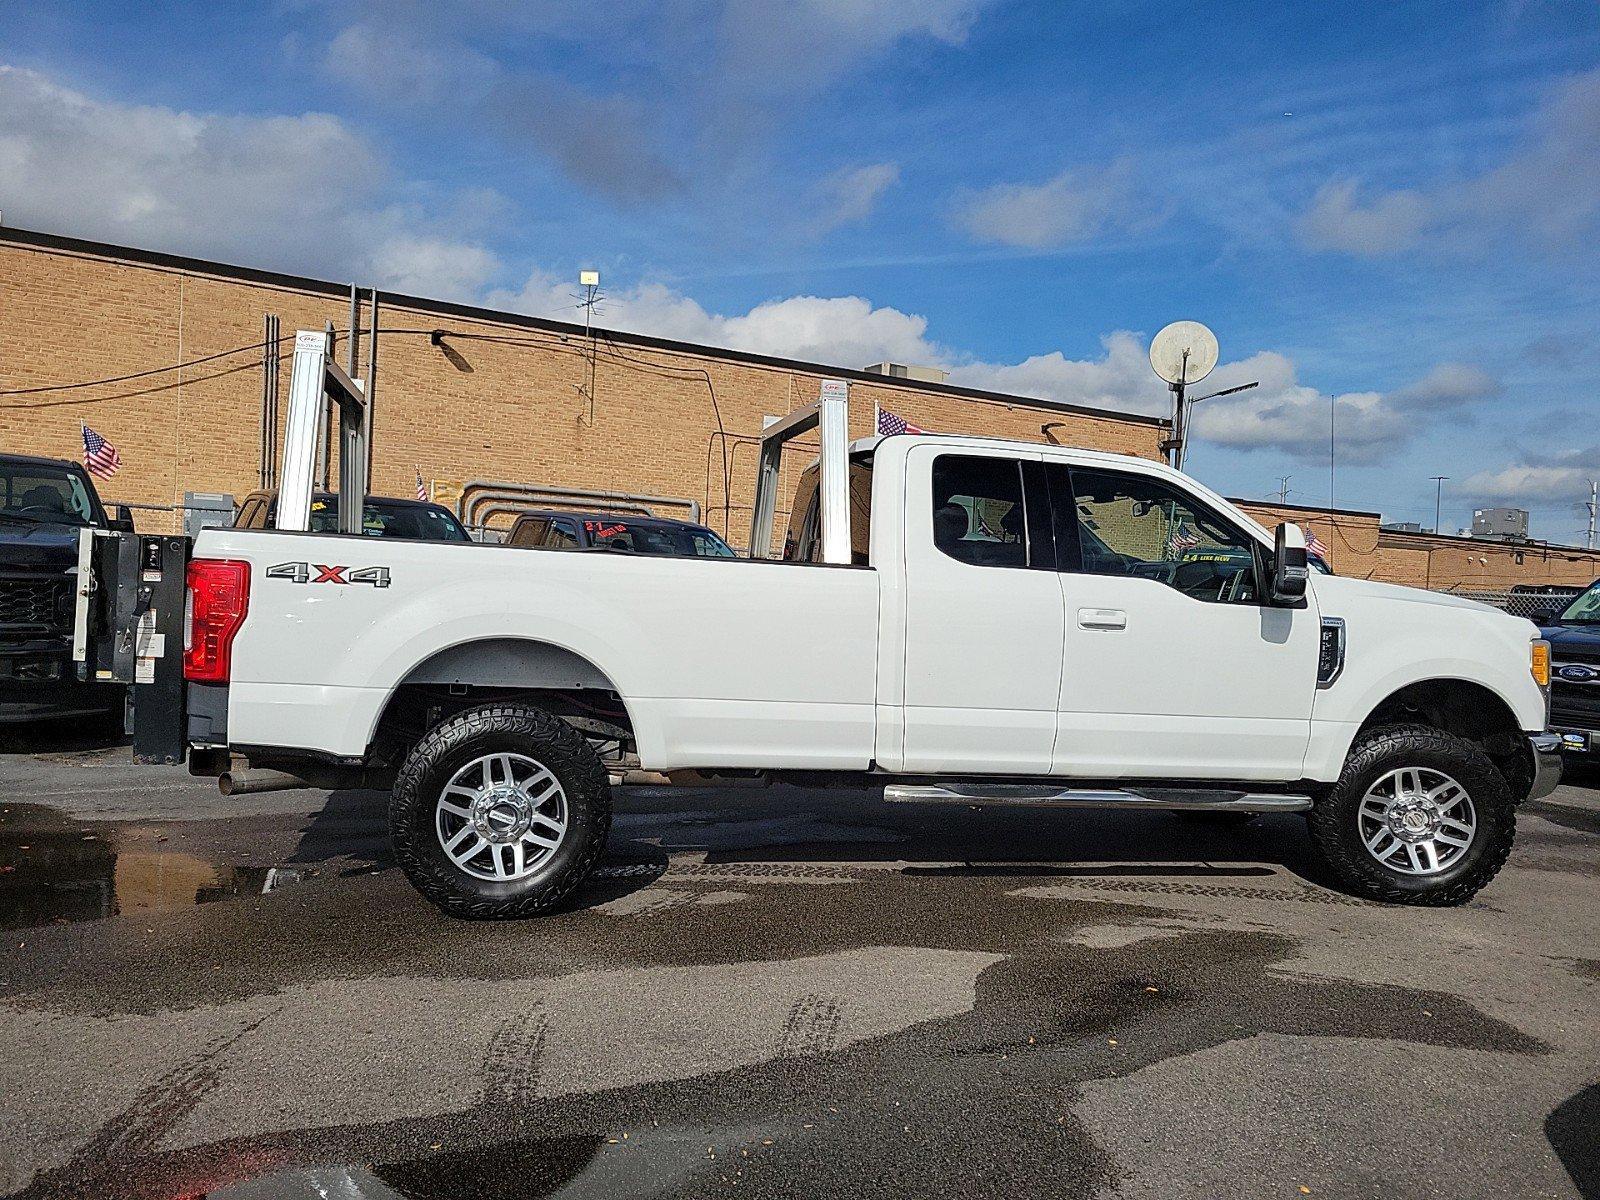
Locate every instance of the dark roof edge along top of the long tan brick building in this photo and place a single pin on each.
(156, 258)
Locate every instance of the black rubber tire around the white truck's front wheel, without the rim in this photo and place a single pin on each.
(1335, 825)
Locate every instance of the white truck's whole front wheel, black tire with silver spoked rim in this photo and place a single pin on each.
(1417, 817)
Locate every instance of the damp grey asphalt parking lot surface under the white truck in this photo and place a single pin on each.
(777, 993)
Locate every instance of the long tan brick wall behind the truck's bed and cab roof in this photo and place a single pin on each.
(505, 402)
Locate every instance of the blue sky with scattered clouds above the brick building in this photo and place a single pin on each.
(1388, 214)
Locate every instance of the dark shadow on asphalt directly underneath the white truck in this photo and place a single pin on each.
(769, 828)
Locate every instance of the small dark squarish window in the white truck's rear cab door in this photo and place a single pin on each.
(978, 514)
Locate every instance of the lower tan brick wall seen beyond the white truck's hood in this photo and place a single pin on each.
(1359, 548)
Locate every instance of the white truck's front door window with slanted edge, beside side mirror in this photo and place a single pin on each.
(1142, 527)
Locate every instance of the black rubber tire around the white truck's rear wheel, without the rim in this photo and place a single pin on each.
(433, 762)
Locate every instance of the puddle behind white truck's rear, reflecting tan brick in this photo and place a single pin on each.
(57, 871)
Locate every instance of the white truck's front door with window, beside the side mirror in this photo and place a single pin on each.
(1174, 665)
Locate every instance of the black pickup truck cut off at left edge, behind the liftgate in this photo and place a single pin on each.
(44, 503)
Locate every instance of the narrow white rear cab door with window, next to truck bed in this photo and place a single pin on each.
(983, 614)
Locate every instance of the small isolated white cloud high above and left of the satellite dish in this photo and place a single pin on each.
(1078, 206)
